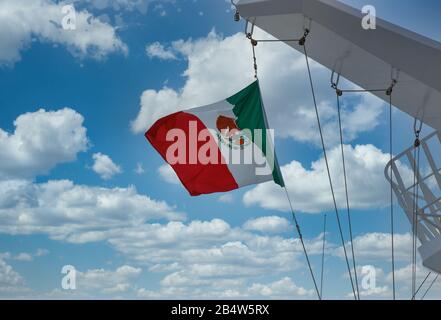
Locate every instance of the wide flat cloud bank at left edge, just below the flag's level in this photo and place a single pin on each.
(75, 213)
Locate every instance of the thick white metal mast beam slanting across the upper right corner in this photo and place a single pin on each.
(368, 58)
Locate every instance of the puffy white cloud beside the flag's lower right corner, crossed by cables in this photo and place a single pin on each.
(310, 191)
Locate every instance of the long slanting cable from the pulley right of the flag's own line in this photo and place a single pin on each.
(302, 42)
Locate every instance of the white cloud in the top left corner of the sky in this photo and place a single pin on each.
(23, 21)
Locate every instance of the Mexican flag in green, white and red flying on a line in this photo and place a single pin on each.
(219, 147)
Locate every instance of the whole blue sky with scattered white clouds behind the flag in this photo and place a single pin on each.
(72, 194)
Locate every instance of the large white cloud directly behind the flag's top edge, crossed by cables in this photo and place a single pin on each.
(218, 67)
